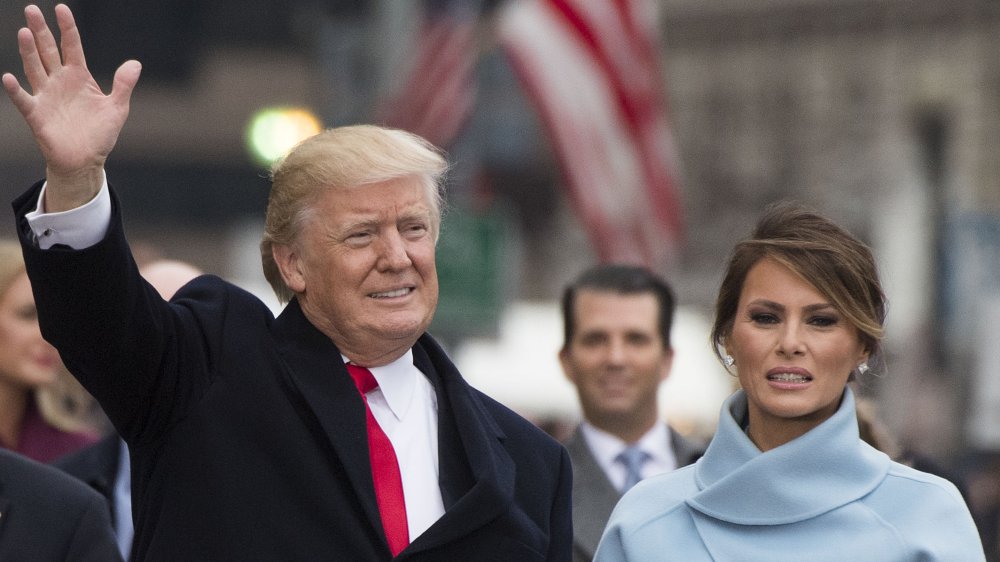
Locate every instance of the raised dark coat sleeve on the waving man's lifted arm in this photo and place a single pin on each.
(142, 358)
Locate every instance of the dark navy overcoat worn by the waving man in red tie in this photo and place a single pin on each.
(248, 437)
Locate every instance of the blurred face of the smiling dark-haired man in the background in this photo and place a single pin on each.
(616, 358)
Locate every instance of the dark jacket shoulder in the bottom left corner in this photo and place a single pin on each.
(46, 515)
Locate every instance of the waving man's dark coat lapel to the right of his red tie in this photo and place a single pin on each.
(480, 439)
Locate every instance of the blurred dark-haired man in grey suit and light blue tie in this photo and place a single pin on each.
(617, 352)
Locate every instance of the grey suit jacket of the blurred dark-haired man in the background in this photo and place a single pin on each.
(594, 496)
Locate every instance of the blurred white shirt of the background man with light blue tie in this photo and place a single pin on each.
(606, 447)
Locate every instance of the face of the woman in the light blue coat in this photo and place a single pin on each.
(793, 351)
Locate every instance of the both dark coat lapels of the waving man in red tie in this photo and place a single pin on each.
(318, 380)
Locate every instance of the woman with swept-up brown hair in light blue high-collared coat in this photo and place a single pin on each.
(786, 477)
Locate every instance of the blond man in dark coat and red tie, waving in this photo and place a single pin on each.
(338, 430)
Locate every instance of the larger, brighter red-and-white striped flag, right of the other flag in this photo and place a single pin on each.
(591, 68)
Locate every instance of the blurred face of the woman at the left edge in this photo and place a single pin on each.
(26, 360)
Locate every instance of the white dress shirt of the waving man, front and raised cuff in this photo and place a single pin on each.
(404, 404)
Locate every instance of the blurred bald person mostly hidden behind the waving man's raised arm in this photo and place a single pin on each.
(105, 465)
